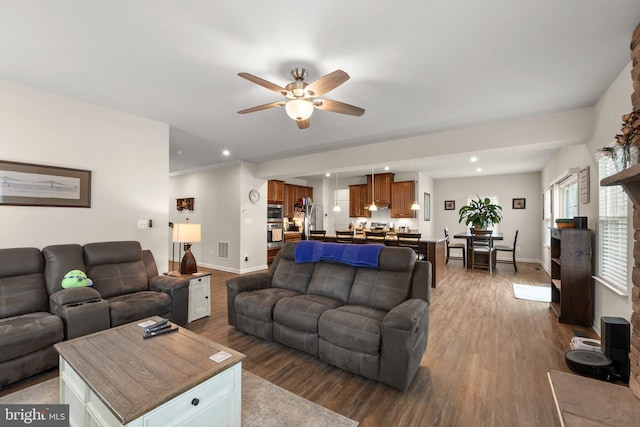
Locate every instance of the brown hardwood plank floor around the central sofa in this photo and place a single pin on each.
(485, 365)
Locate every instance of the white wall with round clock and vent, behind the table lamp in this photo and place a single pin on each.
(223, 209)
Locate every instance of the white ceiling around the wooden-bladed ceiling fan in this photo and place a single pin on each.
(416, 67)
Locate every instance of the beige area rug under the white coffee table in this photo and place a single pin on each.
(263, 404)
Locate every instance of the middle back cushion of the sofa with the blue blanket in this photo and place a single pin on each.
(332, 280)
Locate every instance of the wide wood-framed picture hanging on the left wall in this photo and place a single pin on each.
(29, 184)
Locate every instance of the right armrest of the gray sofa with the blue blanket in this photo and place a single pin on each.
(405, 330)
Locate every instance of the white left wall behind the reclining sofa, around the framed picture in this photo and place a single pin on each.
(128, 157)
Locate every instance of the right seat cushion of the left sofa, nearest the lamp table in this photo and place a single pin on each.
(131, 307)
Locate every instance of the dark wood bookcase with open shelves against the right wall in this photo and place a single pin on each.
(571, 275)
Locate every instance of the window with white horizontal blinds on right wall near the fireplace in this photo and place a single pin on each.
(612, 230)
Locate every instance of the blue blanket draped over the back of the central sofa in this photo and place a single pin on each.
(356, 255)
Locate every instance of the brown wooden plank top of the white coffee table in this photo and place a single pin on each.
(132, 375)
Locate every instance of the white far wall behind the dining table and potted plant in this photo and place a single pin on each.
(506, 187)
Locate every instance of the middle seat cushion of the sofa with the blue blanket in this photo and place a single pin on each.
(303, 311)
